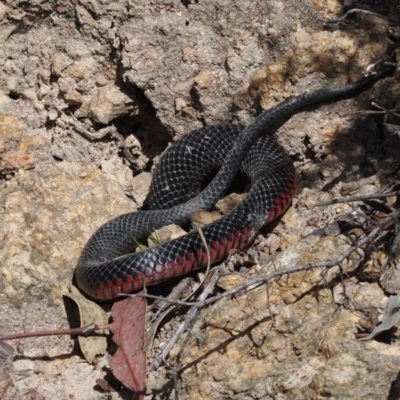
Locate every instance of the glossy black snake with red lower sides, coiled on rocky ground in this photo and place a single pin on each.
(107, 265)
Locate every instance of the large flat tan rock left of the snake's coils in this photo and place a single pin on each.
(49, 213)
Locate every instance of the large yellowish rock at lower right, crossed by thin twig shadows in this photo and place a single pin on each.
(286, 349)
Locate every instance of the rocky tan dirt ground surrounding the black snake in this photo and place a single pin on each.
(156, 70)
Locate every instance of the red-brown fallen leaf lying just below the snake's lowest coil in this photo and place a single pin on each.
(129, 362)
